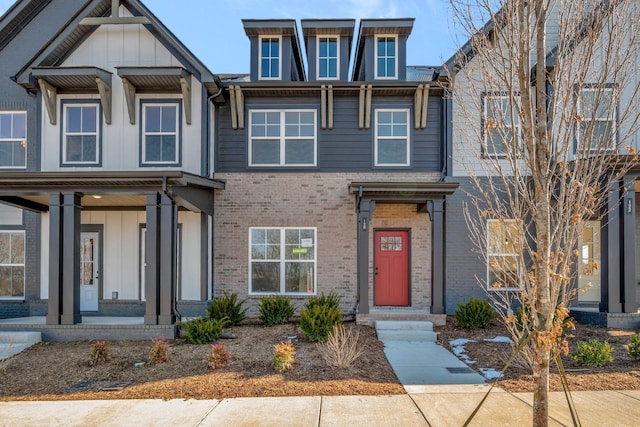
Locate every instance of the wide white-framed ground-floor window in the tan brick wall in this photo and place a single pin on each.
(283, 260)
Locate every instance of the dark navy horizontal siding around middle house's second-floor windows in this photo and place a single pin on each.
(345, 148)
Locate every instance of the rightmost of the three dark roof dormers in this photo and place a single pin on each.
(381, 53)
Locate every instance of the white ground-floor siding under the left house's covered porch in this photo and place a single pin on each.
(121, 253)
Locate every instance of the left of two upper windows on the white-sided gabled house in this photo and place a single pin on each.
(81, 134)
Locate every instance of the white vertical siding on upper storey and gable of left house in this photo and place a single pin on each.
(111, 46)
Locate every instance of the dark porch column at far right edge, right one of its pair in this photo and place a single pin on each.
(629, 236)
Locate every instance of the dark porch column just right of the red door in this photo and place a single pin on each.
(437, 257)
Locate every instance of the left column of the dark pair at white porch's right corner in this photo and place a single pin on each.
(151, 288)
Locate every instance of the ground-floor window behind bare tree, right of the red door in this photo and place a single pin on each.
(502, 255)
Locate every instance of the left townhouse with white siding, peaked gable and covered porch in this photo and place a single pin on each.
(119, 177)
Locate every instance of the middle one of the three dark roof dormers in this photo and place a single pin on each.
(328, 46)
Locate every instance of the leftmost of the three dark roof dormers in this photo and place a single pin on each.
(275, 50)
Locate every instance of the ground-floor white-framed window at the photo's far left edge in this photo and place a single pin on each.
(11, 264)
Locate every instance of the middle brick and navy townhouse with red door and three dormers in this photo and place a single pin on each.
(332, 184)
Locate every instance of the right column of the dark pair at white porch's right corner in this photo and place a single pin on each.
(167, 264)
